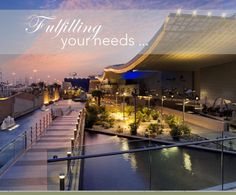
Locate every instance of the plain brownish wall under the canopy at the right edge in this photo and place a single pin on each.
(218, 81)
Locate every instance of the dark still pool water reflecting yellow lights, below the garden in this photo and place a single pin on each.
(167, 169)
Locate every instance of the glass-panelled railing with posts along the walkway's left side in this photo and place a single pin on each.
(13, 150)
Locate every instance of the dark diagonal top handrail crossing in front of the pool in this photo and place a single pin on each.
(138, 150)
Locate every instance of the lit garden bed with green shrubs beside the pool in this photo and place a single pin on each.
(149, 121)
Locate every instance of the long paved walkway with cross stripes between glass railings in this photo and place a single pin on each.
(31, 171)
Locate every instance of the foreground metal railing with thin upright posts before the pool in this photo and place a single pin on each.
(148, 149)
